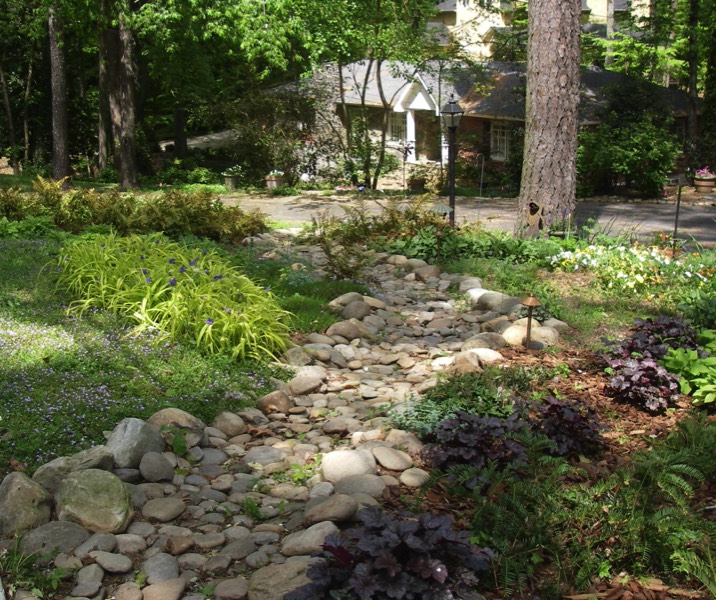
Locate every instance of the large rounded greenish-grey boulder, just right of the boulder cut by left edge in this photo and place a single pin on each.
(97, 500)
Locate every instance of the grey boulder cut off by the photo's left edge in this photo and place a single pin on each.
(24, 504)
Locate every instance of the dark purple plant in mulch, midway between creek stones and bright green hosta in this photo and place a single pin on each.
(573, 426)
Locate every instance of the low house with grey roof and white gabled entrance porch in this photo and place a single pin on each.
(491, 94)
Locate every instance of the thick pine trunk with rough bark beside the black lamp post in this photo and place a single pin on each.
(549, 169)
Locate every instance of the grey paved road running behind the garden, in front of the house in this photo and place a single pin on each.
(642, 219)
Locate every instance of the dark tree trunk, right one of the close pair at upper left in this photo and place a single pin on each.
(127, 82)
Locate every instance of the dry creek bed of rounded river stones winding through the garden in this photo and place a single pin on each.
(256, 493)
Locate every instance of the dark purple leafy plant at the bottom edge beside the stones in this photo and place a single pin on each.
(418, 557)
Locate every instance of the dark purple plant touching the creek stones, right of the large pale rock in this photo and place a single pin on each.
(474, 440)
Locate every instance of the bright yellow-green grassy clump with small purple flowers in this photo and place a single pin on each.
(189, 295)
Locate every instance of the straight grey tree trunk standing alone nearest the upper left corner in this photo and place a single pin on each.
(60, 118)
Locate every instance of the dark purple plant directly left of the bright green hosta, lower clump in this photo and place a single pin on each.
(643, 382)
